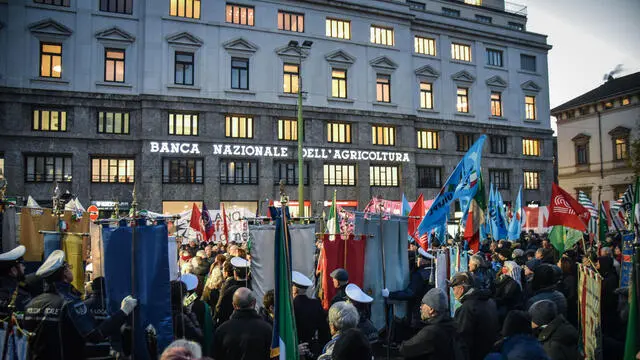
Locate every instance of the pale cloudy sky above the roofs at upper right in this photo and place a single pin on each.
(589, 38)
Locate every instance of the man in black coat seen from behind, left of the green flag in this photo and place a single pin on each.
(245, 335)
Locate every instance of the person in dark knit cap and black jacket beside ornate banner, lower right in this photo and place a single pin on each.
(558, 338)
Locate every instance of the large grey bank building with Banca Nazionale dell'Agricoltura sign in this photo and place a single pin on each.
(196, 100)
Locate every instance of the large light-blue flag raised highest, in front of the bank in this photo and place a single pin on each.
(462, 184)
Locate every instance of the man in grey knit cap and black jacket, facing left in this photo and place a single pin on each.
(438, 338)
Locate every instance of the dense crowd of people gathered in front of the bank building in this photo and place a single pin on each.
(518, 300)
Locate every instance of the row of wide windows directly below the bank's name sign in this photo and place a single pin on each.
(50, 168)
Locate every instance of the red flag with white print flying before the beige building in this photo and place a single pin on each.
(566, 211)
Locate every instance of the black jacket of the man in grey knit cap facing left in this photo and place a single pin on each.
(436, 340)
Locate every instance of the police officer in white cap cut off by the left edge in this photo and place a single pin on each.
(11, 278)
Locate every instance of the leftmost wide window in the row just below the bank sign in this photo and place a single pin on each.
(48, 168)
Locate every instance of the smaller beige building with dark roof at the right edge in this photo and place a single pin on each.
(595, 131)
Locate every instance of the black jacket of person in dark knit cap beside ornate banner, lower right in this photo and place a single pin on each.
(560, 339)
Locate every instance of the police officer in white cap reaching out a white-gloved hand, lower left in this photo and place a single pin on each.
(61, 322)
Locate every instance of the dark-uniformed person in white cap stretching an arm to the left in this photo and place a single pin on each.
(418, 286)
